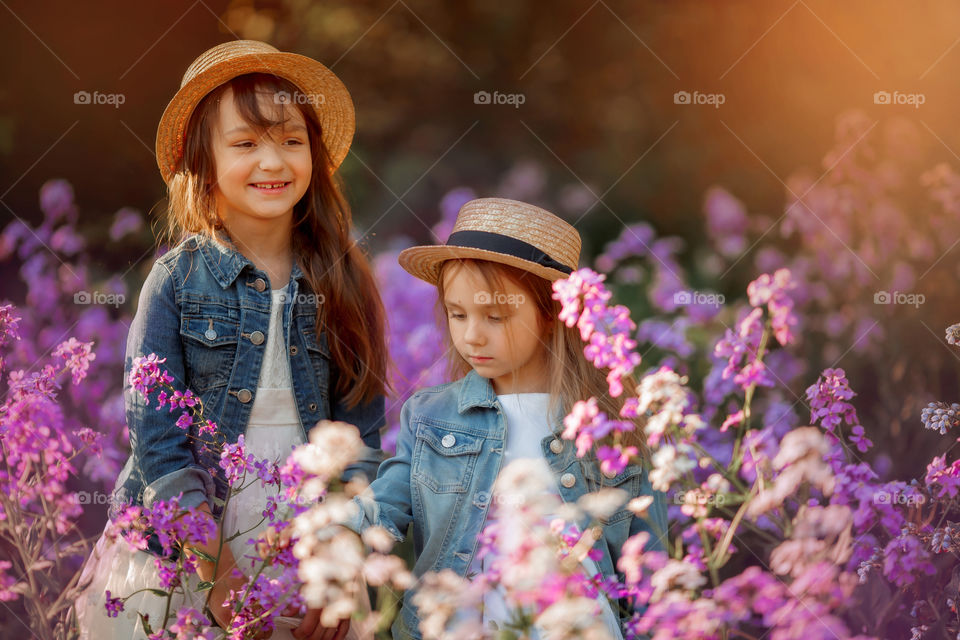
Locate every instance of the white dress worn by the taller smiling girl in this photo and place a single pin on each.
(272, 432)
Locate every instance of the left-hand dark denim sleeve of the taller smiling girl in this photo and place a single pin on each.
(161, 451)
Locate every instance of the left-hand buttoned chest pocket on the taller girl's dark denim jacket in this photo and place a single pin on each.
(210, 333)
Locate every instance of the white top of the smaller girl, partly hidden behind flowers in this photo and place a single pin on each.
(527, 419)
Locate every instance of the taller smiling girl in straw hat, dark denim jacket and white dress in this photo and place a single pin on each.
(266, 309)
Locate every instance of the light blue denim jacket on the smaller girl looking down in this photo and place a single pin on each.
(449, 453)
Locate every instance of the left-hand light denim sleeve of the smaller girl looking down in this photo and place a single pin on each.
(387, 502)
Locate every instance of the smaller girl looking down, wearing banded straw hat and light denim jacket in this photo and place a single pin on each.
(520, 370)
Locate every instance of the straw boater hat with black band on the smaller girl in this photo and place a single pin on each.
(505, 231)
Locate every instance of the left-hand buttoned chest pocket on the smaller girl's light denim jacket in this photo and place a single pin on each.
(444, 458)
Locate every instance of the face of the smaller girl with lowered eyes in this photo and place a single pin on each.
(498, 332)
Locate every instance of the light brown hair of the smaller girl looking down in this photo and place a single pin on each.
(571, 376)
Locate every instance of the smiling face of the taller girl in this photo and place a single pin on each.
(259, 179)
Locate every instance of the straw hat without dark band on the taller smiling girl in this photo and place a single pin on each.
(324, 91)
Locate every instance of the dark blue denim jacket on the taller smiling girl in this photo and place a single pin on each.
(206, 309)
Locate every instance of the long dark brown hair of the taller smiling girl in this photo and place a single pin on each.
(332, 263)
